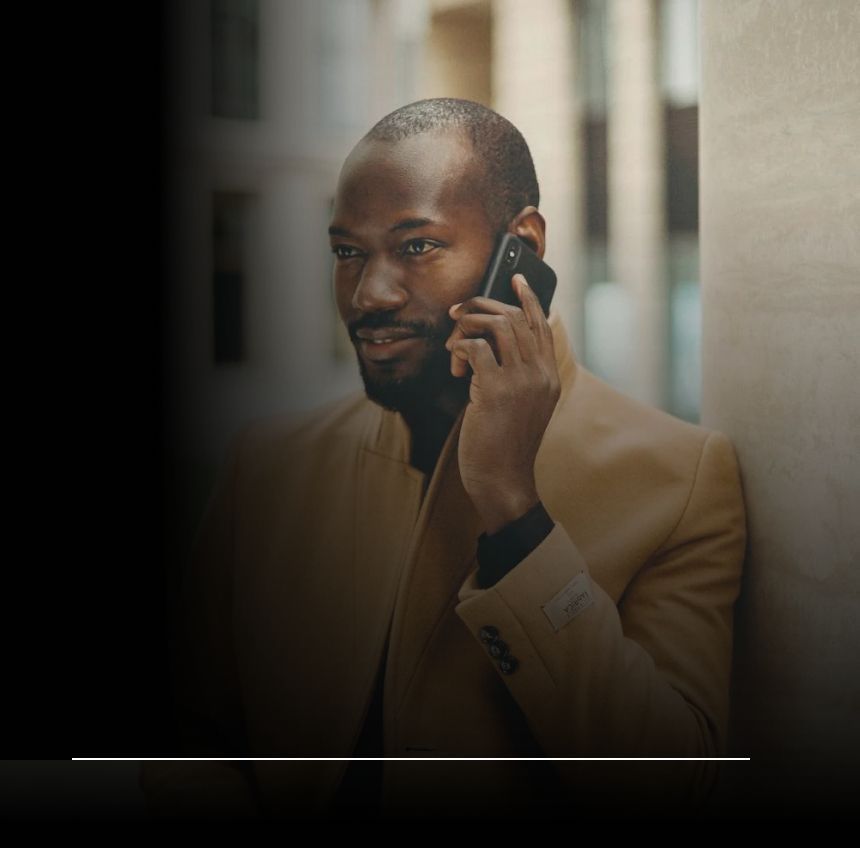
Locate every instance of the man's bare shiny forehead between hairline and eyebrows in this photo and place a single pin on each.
(431, 173)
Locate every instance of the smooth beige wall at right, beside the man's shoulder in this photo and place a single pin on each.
(780, 235)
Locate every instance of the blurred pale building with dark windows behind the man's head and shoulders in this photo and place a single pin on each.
(268, 97)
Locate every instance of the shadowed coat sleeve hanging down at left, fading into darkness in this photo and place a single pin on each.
(205, 693)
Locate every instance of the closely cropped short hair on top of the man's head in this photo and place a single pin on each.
(508, 181)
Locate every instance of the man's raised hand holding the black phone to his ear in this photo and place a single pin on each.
(515, 388)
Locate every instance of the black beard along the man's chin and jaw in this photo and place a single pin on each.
(424, 390)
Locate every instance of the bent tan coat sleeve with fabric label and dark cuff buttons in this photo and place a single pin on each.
(646, 678)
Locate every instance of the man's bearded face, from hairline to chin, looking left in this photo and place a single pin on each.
(410, 240)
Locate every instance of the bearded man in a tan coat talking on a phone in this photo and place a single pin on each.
(487, 553)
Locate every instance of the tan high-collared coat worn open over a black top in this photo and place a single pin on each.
(319, 537)
